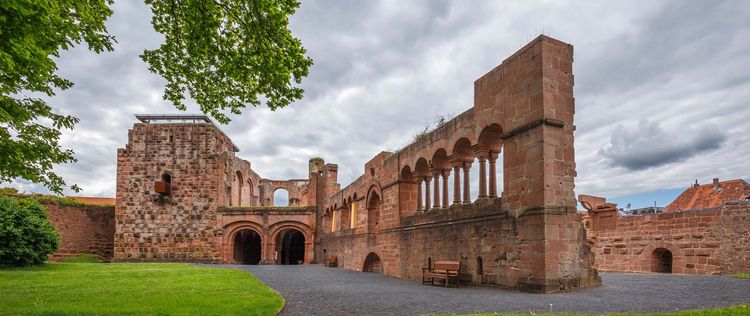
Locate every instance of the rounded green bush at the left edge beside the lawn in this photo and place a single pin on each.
(26, 234)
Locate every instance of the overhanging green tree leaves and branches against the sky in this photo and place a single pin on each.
(225, 54)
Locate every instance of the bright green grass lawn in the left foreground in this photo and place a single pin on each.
(134, 288)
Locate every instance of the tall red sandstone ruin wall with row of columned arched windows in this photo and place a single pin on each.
(531, 238)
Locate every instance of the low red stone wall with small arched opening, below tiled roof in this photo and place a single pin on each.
(704, 241)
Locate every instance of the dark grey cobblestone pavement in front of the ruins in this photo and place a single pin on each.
(316, 290)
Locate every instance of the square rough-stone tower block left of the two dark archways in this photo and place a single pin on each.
(181, 226)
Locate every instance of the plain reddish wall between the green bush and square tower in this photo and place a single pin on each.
(83, 229)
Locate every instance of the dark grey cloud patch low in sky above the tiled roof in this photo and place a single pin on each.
(648, 145)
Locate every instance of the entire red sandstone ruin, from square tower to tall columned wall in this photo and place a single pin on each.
(526, 235)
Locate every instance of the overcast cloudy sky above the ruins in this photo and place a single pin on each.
(662, 88)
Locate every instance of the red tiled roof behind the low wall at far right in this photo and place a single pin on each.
(706, 196)
